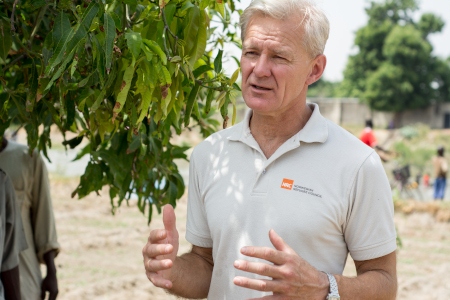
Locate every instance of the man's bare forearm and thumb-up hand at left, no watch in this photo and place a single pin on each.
(188, 275)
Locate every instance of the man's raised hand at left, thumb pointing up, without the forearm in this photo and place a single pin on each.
(161, 251)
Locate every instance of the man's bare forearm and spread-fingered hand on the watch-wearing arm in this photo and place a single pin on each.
(294, 277)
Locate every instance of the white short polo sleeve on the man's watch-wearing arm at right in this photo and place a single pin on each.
(369, 230)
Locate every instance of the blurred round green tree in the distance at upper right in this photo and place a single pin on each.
(395, 69)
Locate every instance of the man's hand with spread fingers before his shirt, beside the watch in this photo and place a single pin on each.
(292, 276)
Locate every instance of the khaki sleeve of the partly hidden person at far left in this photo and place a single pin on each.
(42, 216)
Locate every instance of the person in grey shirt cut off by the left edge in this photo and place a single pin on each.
(12, 240)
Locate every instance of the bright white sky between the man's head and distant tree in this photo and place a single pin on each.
(346, 16)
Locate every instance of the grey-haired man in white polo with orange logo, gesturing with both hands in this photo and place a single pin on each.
(278, 201)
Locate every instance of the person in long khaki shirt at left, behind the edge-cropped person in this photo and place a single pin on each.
(29, 176)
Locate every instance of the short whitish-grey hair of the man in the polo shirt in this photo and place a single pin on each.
(312, 19)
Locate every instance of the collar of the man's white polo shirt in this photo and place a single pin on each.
(315, 130)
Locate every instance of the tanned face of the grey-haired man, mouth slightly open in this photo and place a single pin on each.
(276, 69)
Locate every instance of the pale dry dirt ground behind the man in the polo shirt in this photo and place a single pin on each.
(101, 253)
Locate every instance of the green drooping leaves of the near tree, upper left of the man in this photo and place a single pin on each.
(123, 77)
